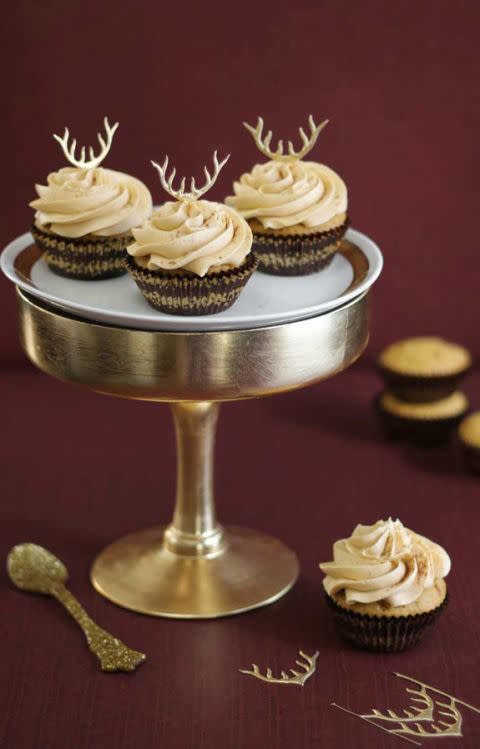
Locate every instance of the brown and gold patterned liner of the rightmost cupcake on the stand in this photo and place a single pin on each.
(297, 254)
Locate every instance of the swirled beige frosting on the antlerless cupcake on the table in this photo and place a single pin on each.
(384, 562)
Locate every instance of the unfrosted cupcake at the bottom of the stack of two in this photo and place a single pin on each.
(427, 423)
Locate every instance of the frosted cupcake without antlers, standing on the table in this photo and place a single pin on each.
(385, 585)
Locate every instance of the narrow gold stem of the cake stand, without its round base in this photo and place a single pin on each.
(194, 530)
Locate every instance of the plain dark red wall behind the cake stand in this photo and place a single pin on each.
(399, 82)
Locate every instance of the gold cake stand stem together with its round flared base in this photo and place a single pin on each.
(194, 568)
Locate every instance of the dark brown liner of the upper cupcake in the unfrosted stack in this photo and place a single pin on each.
(422, 389)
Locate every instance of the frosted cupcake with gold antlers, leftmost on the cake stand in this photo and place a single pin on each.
(84, 215)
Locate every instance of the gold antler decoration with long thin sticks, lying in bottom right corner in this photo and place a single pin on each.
(420, 721)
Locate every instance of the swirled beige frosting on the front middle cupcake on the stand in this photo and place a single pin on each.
(197, 236)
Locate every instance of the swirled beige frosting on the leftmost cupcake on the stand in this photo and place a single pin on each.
(76, 202)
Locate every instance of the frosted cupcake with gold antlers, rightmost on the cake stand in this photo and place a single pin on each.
(296, 209)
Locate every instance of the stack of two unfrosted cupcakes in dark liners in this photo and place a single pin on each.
(421, 401)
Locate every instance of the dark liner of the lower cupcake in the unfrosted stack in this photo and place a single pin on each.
(420, 431)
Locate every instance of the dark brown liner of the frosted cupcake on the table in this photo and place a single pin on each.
(385, 634)
